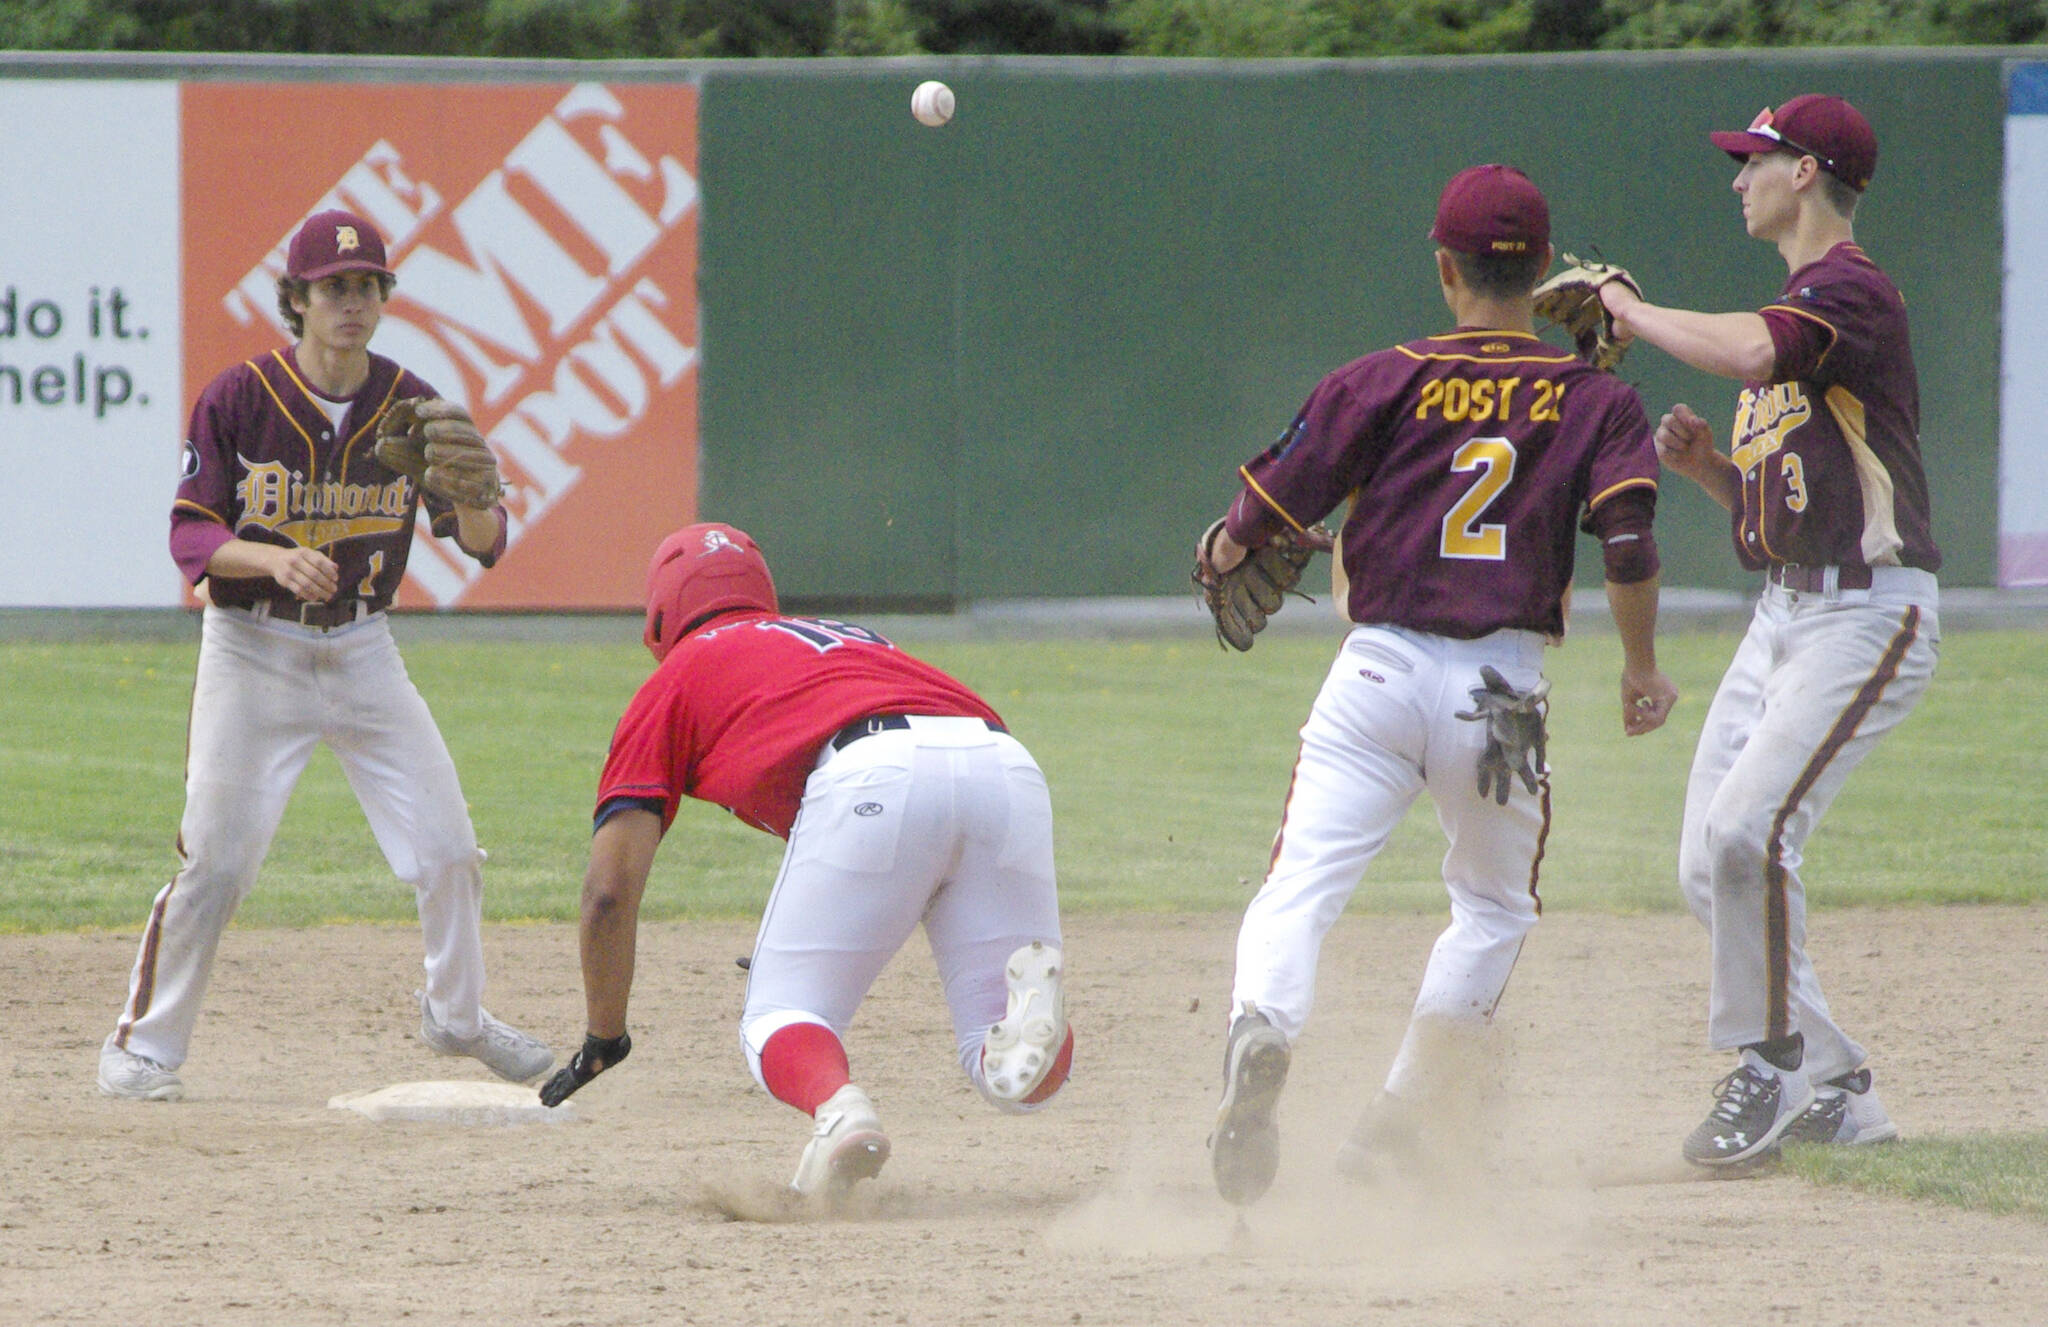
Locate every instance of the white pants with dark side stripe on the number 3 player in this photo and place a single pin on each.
(1814, 687)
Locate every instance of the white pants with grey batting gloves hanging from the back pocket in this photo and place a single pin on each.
(1383, 730)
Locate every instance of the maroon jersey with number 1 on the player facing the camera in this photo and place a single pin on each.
(263, 462)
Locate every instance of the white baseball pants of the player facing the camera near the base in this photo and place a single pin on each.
(265, 693)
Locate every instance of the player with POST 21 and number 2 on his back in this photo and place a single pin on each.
(1469, 462)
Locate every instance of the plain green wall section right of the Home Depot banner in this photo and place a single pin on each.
(1025, 353)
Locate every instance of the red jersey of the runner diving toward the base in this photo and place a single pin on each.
(738, 714)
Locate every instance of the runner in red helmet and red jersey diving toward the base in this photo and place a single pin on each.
(902, 798)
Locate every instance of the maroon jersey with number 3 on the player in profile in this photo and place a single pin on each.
(1830, 447)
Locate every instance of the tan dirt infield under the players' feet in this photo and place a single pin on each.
(253, 1203)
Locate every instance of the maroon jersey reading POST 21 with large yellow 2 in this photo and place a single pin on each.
(1469, 462)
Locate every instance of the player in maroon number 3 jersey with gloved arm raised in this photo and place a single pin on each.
(1830, 503)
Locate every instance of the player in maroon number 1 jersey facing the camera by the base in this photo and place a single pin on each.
(298, 538)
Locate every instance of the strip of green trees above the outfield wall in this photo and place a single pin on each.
(697, 30)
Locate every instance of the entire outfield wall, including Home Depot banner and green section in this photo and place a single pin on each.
(1013, 357)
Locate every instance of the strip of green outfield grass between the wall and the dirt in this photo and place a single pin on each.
(1168, 765)
